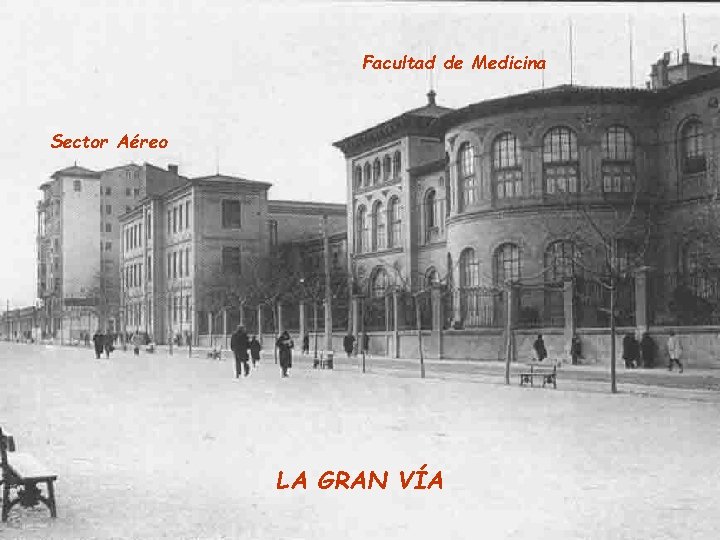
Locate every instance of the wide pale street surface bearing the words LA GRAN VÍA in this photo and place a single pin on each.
(160, 446)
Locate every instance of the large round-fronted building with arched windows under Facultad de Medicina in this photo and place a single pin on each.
(529, 192)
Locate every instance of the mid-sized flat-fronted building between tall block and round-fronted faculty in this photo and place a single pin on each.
(189, 252)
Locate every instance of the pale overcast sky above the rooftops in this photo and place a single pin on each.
(265, 88)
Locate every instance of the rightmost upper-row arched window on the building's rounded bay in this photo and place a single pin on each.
(618, 164)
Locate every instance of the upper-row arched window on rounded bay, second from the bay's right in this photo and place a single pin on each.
(560, 161)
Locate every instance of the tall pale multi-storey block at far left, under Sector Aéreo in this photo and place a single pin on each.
(78, 241)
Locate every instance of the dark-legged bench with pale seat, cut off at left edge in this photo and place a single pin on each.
(22, 473)
